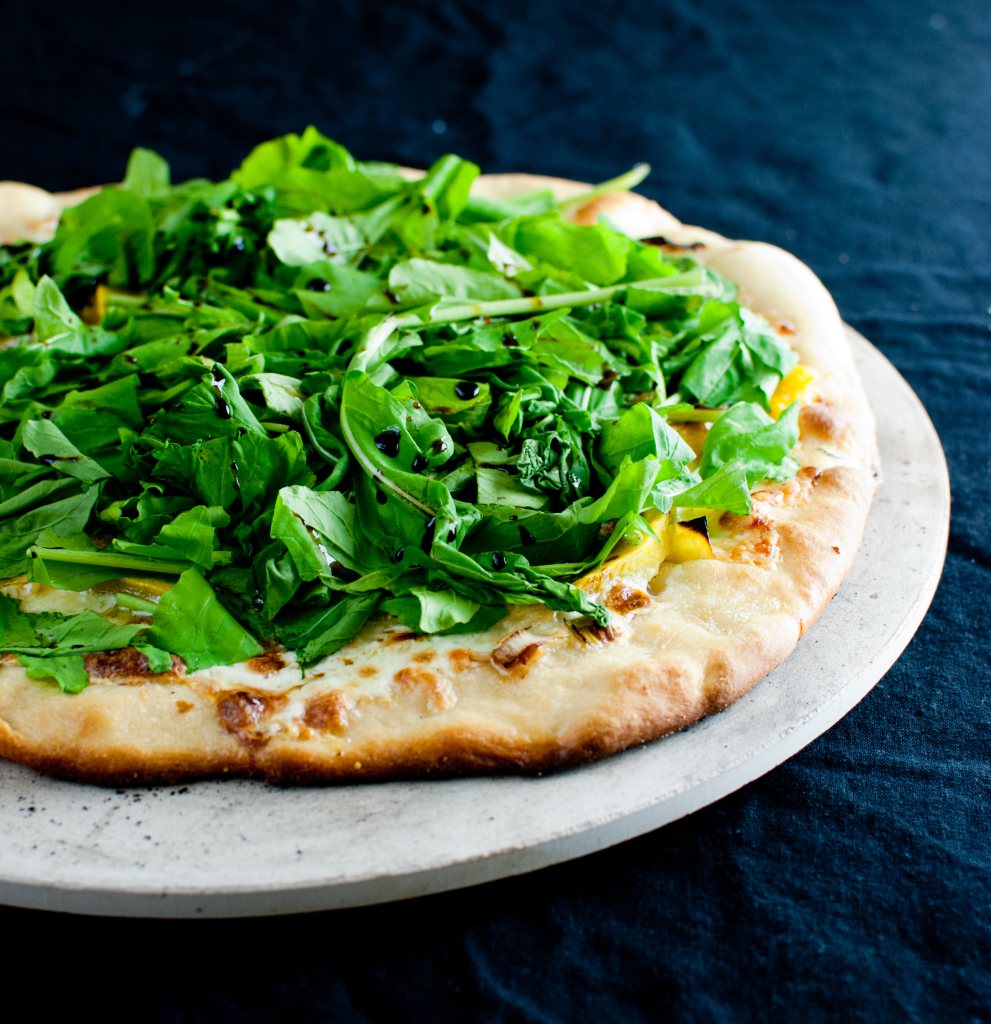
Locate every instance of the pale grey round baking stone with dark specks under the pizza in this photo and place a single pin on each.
(219, 849)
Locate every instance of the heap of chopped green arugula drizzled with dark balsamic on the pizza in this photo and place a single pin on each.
(318, 391)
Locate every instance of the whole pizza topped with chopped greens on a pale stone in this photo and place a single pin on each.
(336, 471)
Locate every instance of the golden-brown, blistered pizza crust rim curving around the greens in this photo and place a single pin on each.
(536, 694)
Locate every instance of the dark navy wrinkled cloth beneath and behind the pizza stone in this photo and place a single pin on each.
(853, 883)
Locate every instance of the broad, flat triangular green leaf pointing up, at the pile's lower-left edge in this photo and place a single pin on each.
(192, 623)
